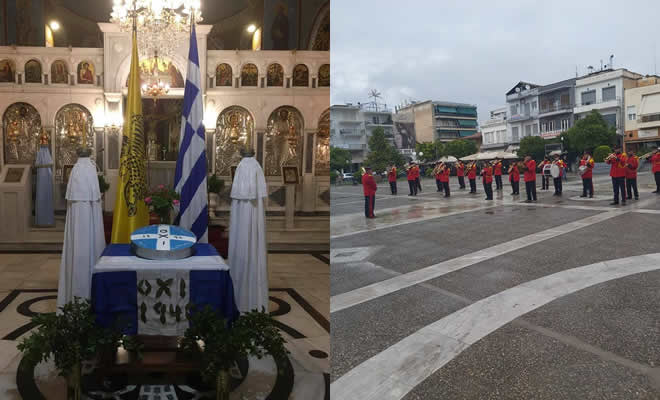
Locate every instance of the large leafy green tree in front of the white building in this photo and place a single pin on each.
(588, 133)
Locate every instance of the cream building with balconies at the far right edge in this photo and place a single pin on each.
(642, 116)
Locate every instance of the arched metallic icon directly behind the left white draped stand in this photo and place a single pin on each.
(73, 129)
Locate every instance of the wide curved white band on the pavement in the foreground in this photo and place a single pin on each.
(394, 372)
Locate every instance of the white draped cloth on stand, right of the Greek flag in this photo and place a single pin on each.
(247, 237)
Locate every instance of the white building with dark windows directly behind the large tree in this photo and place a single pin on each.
(603, 91)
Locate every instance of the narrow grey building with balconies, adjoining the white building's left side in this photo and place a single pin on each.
(556, 102)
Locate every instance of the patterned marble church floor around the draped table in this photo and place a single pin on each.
(299, 293)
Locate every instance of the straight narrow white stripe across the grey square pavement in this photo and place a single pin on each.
(378, 289)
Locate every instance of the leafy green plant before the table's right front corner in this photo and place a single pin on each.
(216, 344)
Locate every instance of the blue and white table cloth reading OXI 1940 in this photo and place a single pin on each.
(152, 297)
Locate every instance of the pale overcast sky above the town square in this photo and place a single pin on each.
(474, 51)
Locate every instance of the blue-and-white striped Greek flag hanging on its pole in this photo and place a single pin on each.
(190, 174)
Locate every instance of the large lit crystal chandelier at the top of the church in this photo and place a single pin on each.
(161, 24)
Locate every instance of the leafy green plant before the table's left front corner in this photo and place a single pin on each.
(70, 337)
